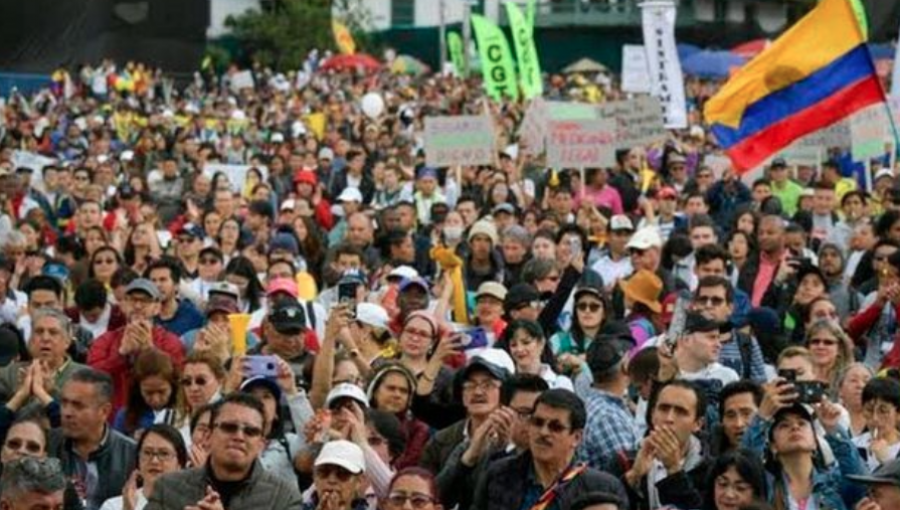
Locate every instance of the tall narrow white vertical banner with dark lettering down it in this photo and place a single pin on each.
(666, 82)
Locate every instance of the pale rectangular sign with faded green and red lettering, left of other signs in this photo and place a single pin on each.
(461, 140)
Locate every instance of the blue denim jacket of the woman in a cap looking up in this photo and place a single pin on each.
(832, 488)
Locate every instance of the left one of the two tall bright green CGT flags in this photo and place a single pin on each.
(497, 65)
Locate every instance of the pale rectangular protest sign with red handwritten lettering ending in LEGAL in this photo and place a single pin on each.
(581, 143)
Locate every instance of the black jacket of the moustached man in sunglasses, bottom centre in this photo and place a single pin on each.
(504, 485)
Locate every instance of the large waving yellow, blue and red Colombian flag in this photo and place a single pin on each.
(814, 75)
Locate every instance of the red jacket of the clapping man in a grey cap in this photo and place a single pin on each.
(104, 355)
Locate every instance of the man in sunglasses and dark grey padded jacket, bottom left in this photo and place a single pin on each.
(232, 477)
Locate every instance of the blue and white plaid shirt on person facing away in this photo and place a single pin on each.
(609, 432)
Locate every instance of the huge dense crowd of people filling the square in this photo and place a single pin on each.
(230, 297)
